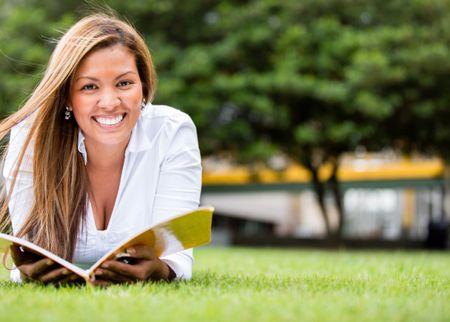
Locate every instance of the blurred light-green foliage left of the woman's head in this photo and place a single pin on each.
(26, 40)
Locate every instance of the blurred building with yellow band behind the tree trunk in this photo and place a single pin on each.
(384, 197)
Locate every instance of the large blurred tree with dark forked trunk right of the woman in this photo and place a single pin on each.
(314, 79)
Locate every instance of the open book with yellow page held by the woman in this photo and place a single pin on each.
(186, 231)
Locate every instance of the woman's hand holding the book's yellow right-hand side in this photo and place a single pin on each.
(143, 265)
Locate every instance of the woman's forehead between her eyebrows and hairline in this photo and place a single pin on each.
(107, 61)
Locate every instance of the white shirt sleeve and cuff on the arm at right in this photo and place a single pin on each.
(179, 188)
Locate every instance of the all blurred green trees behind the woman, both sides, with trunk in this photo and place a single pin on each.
(308, 79)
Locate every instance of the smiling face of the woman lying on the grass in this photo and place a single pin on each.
(106, 96)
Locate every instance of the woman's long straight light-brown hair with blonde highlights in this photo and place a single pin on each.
(60, 181)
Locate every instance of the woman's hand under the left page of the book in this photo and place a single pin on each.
(36, 268)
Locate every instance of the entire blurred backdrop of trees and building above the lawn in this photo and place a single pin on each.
(321, 122)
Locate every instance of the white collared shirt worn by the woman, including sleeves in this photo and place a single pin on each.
(161, 178)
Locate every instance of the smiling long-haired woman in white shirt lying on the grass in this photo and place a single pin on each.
(90, 161)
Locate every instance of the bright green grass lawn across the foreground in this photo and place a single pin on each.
(242, 284)
